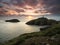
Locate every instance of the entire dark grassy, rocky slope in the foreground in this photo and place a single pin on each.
(50, 36)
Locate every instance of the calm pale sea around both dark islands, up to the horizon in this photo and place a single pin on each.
(11, 30)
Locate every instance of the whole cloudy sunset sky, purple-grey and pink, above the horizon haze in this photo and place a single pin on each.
(29, 7)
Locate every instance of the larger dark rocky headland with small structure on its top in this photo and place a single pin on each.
(42, 21)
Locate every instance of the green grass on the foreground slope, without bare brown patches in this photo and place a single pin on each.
(52, 32)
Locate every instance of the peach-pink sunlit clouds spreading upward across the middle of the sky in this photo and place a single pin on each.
(28, 10)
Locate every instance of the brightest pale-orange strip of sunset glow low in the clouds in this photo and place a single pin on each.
(27, 12)
